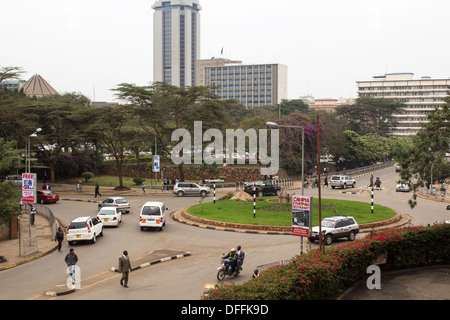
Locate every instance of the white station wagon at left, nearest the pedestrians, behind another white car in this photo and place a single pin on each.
(84, 229)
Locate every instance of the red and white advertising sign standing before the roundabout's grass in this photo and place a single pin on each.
(301, 216)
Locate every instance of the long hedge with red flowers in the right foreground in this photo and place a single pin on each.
(317, 275)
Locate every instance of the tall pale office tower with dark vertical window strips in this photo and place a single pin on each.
(176, 41)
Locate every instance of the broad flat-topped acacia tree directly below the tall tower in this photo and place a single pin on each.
(162, 108)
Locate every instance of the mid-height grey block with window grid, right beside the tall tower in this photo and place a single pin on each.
(253, 85)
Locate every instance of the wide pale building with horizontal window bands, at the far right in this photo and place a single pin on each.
(420, 96)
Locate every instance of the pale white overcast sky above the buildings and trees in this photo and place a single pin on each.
(90, 46)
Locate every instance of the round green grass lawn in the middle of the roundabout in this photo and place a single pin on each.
(280, 214)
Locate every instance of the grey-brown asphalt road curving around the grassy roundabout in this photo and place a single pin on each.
(183, 278)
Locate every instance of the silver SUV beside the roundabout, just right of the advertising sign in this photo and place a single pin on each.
(334, 228)
